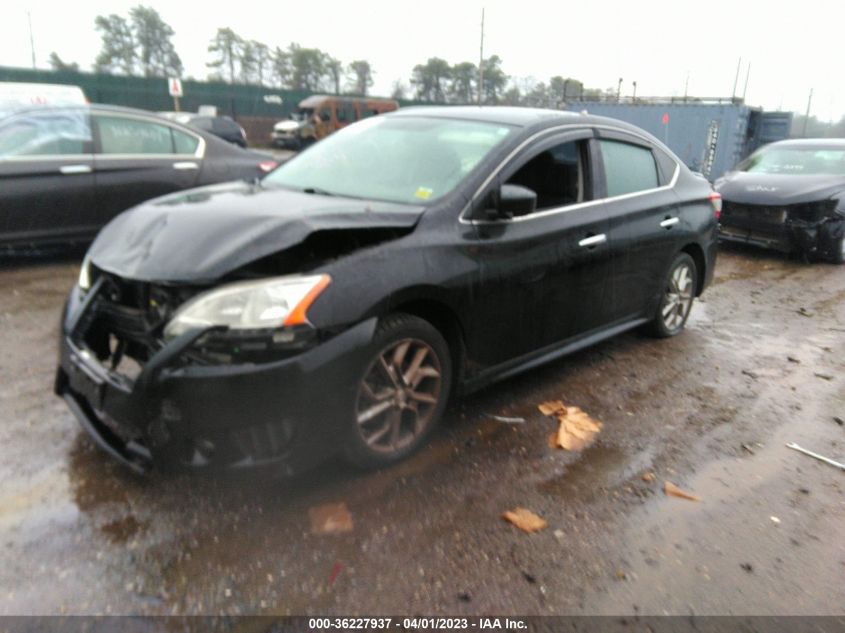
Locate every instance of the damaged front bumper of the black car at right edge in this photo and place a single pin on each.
(815, 230)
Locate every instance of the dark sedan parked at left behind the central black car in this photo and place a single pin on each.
(66, 171)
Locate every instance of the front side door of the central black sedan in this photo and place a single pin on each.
(545, 276)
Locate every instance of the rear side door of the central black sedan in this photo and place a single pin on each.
(643, 214)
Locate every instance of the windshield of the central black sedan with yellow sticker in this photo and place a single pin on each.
(401, 159)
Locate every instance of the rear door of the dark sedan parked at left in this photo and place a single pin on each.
(137, 158)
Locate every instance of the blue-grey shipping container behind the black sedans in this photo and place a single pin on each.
(709, 136)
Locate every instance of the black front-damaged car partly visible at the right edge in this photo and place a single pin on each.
(789, 196)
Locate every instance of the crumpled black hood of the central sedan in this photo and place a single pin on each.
(202, 234)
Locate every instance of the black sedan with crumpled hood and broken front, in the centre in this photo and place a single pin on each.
(334, 306)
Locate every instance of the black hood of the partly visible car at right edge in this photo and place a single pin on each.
(778, 189)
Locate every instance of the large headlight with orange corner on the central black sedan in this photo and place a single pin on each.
(250, 305)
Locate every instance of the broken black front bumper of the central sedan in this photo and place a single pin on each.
(288, 413)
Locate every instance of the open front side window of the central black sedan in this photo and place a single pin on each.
(556, 175)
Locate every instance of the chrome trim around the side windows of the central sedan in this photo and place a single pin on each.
(570, 207)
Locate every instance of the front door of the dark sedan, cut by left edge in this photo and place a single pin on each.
(46, 176)
